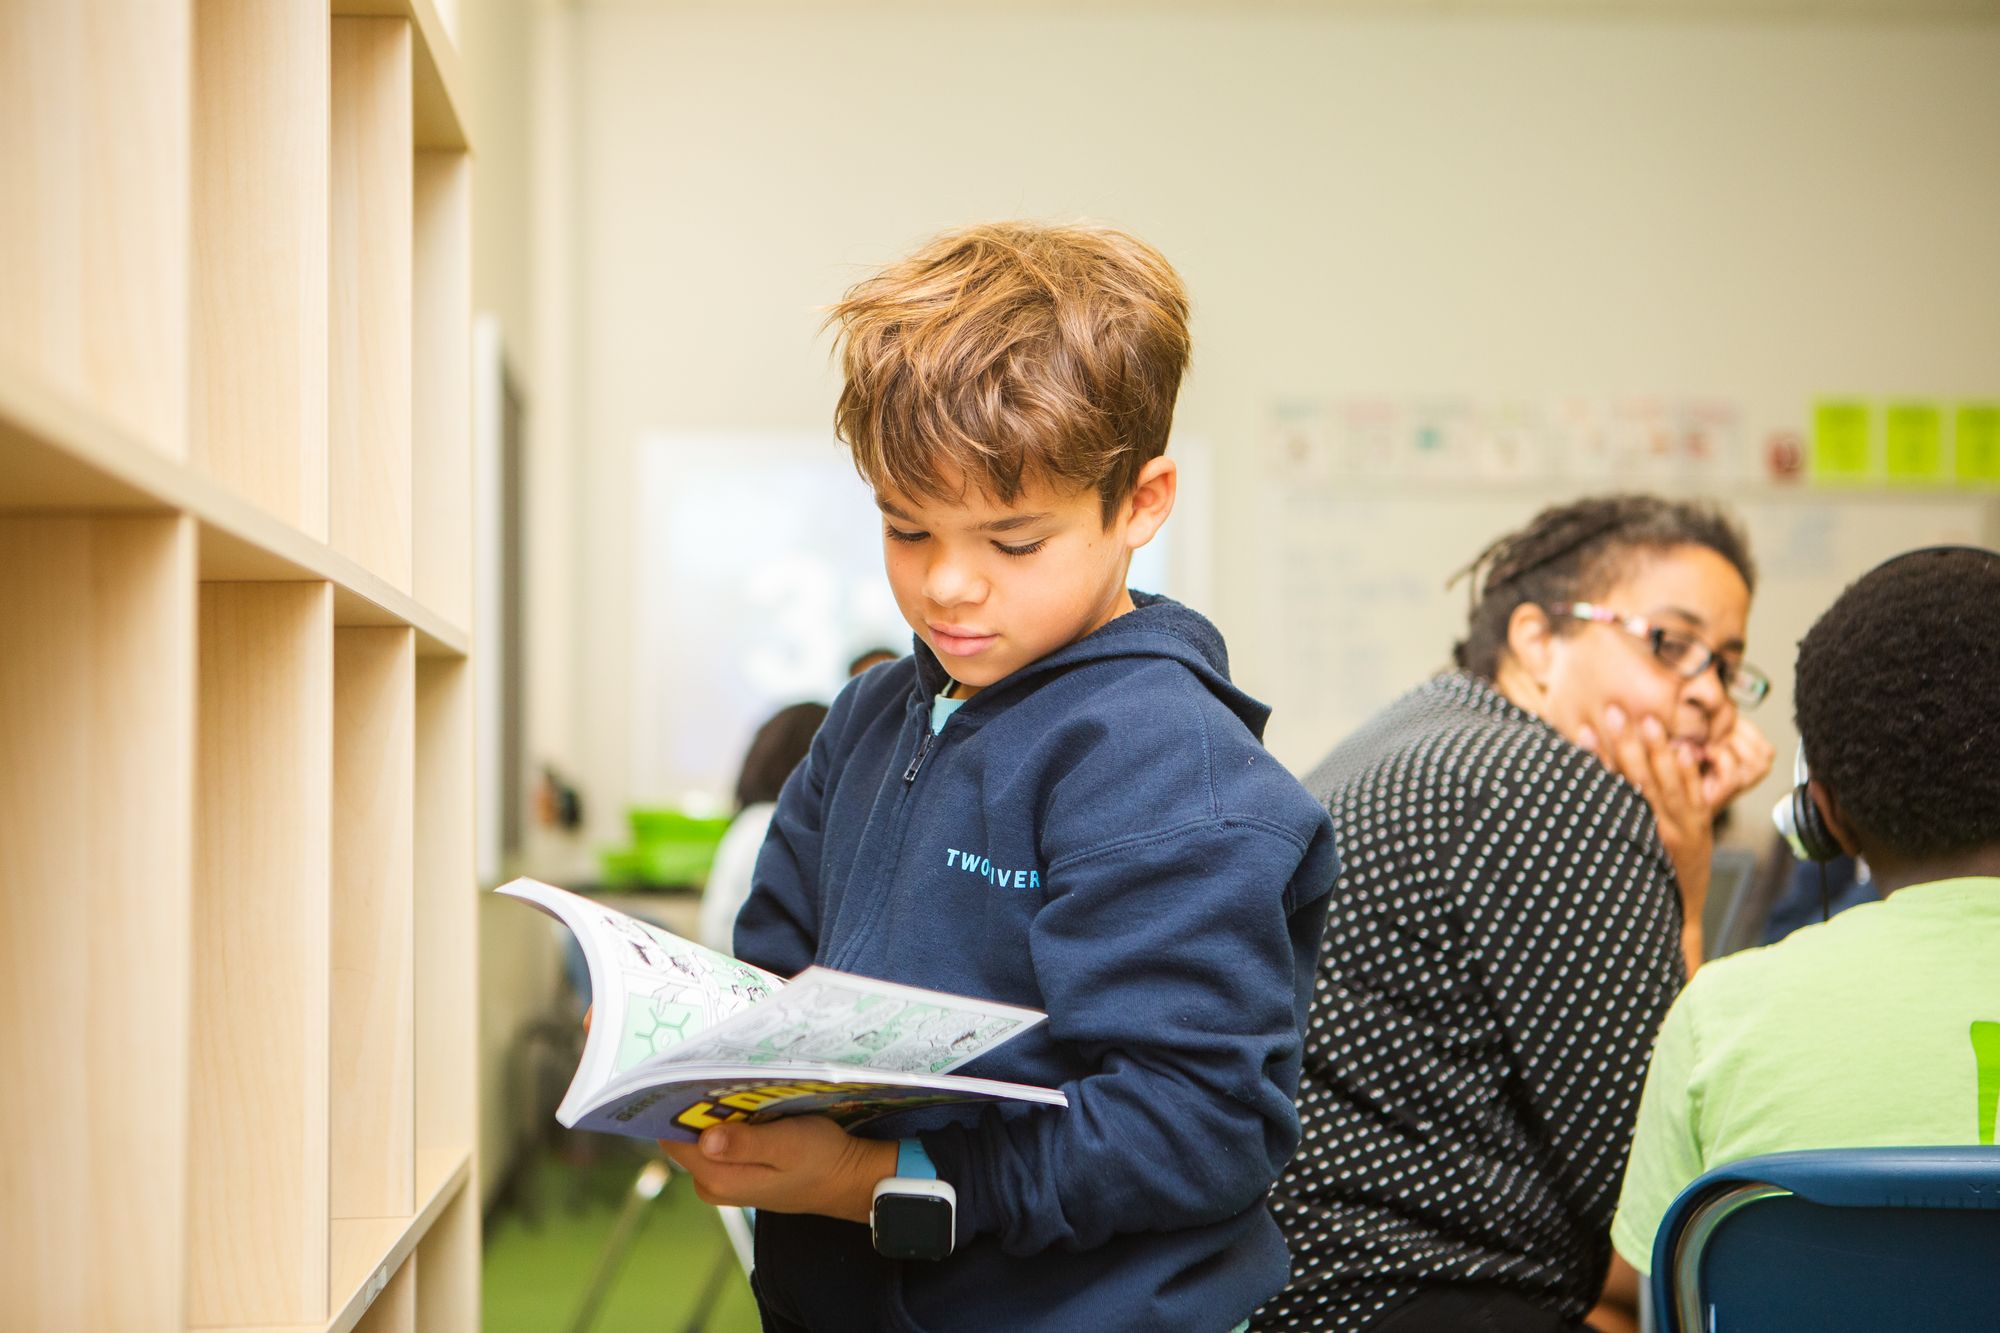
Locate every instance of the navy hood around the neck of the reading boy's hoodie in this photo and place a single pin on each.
(1155, 627)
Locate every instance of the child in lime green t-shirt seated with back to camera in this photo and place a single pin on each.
(1879, 1028)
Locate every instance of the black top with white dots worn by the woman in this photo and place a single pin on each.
(1503, 946)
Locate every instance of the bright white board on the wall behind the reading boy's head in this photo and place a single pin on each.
(757, 579)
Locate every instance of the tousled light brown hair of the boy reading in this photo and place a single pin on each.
(1011, 353)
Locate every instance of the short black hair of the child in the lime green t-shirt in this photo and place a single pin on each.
(1895, 696)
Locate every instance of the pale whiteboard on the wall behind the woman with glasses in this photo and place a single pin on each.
(1359, 611)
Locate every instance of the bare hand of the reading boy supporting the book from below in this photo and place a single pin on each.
(797, 1166)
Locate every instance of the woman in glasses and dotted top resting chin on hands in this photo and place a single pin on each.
(1525, 850)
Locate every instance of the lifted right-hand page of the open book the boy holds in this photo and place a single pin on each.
(831, 1018)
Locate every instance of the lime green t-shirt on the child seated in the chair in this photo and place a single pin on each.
(1875, 1030)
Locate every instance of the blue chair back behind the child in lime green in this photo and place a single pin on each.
(1835, 1240)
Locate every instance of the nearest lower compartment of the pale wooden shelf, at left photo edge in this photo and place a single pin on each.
(97, 722)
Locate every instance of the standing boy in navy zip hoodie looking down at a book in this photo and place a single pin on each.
(1057, 802)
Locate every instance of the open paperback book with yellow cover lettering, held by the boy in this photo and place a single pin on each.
(685, 1038)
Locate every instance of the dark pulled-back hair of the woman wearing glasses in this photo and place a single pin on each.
(1575, 551)
